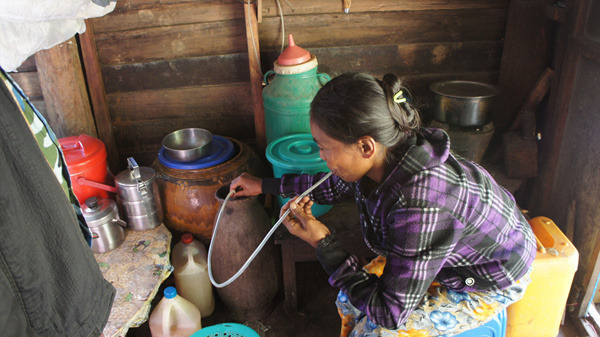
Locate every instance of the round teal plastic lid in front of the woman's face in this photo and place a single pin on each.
(297, 151)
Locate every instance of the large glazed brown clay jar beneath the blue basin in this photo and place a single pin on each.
(187, 196)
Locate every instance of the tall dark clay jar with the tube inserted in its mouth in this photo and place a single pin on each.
(243, 225)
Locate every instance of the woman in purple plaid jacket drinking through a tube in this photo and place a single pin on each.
(430, 214)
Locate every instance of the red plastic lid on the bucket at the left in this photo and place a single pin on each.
(82, 149)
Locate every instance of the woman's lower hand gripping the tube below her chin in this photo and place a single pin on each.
(301, 223)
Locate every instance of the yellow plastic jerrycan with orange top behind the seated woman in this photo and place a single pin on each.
(540, 311)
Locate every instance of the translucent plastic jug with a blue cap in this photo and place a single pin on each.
(174, 316)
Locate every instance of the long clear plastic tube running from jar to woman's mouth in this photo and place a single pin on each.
(263, 242)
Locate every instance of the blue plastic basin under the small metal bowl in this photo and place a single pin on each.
(221, 150)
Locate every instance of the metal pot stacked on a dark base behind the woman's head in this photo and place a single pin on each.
(463, 109)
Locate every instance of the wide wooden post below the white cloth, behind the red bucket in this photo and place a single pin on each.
(65, 92)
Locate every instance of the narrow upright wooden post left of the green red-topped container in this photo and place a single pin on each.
(255, 75)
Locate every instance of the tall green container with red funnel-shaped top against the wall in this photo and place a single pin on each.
(287, 97)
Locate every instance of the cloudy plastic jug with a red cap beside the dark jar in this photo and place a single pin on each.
(191, 277)
